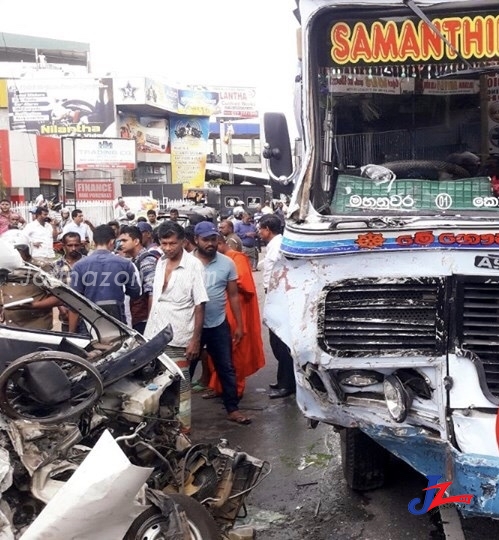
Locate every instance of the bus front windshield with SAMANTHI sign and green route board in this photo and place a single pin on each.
(415, 135)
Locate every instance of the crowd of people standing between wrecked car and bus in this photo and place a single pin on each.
(149, 274)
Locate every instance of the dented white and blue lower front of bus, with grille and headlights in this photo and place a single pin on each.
(390, 352)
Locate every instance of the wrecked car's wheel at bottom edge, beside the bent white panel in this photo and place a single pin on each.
(153, 525)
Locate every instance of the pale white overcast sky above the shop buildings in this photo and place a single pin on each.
(206, 42)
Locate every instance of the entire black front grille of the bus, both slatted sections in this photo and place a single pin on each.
(416, 316)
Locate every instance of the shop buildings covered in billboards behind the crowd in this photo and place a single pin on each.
(52, 98)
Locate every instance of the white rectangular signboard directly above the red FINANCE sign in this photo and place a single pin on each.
(104, 154)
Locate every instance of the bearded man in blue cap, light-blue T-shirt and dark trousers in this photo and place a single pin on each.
(221, 285)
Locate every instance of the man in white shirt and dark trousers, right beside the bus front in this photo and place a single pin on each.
(270, 232)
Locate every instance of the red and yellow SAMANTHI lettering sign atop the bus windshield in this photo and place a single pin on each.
(476, 37)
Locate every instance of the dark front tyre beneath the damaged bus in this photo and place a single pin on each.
(364, 461)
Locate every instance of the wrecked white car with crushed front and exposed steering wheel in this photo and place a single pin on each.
(89, 444)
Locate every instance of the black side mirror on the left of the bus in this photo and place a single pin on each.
(277, 149)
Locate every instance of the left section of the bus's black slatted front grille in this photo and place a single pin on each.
(374, 317)
